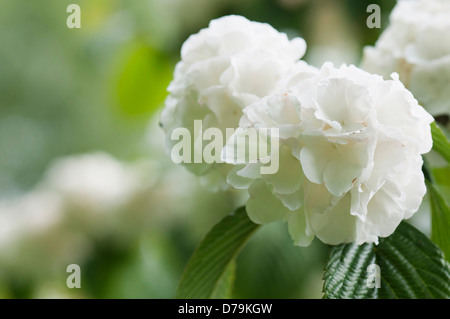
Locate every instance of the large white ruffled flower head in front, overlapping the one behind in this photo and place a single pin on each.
(350, 157)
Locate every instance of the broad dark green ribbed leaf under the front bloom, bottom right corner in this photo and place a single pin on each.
(410, 265)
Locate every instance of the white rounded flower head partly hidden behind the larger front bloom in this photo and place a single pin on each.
(225, 67)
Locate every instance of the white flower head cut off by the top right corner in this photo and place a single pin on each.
(417, 46)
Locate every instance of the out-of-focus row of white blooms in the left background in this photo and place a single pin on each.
(85, 200)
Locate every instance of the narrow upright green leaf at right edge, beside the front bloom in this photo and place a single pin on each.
(440, 220)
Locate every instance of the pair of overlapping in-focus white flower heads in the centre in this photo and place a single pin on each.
(349, 142)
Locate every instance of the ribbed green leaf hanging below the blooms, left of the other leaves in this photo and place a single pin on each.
(210, 262)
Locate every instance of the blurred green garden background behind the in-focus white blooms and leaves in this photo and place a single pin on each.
(84, 178)
